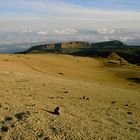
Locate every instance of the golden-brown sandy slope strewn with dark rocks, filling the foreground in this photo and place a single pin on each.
(31, 86)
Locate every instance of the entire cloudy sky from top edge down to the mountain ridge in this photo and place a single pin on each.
(32, 21)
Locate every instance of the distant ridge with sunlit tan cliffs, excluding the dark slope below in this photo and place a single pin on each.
(72, 45)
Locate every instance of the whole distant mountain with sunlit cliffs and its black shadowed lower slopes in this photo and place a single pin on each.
(101, 49)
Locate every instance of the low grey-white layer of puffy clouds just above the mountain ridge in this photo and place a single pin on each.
(101, 34)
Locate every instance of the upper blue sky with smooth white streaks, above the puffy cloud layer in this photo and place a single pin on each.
(16, 15)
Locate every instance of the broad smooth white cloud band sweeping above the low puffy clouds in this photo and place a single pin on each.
(57, 15)
